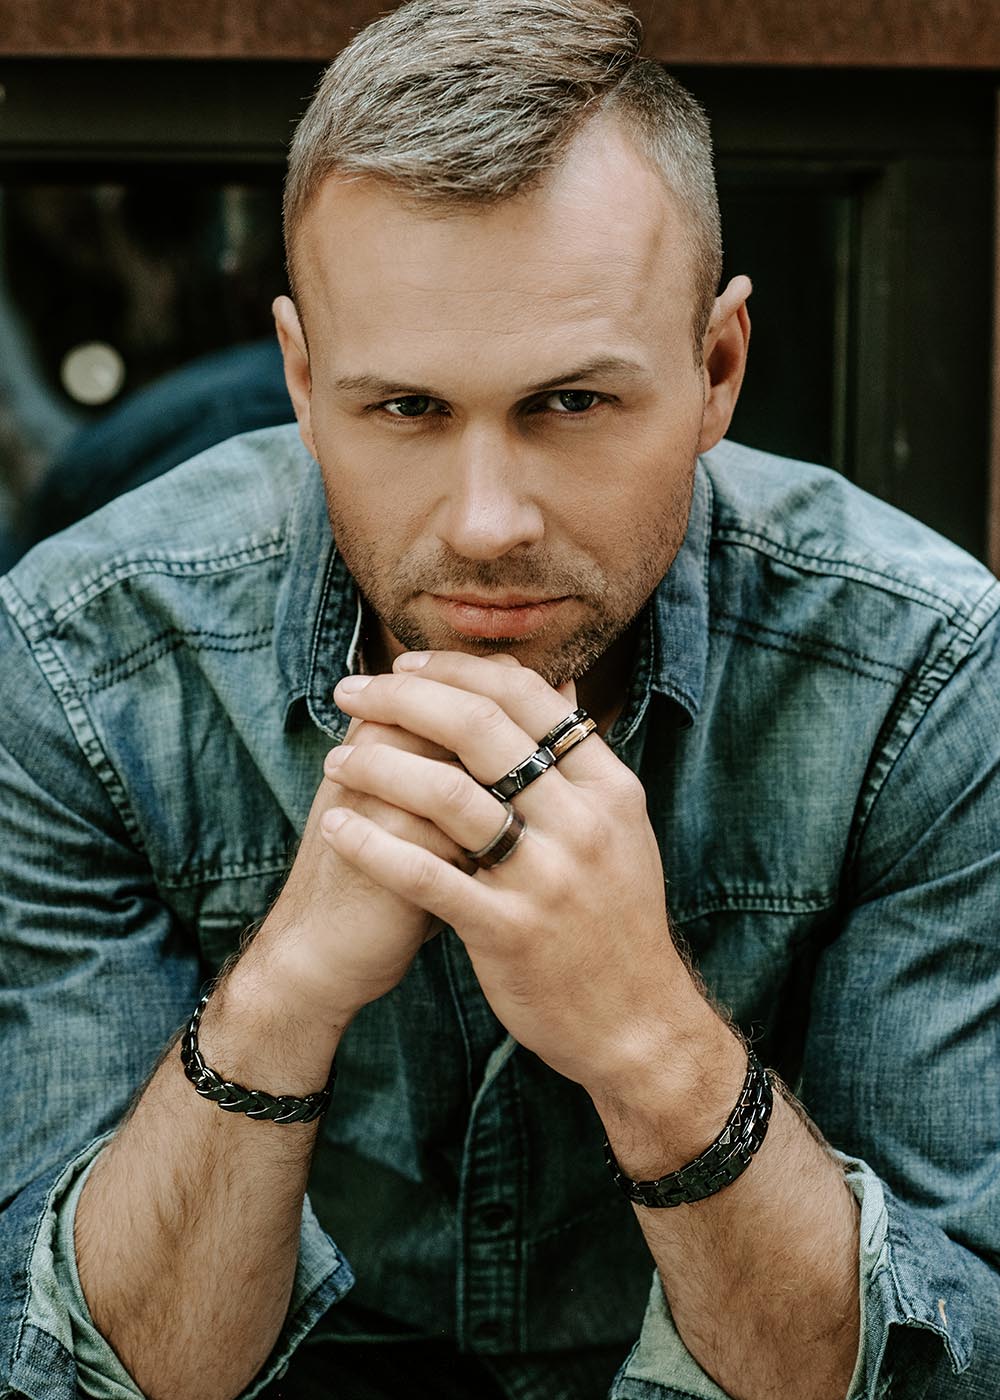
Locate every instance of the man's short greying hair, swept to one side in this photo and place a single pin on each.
(464, 103)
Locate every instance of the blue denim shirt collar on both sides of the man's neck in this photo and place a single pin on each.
(319, 619)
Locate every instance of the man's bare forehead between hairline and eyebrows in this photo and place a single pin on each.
(602, 226)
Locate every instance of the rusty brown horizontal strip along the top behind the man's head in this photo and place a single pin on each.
(835, 33)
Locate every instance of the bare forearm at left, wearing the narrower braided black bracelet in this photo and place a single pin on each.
(188, 1227)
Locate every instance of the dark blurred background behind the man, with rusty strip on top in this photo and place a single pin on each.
(142, 150)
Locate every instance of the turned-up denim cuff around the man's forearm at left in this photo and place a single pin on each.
(57, 1303)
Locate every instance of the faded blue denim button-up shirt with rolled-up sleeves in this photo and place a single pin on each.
(816, 717)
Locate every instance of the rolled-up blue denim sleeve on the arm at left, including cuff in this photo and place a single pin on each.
(96, 981)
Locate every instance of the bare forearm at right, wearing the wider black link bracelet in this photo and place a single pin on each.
(763, 1277)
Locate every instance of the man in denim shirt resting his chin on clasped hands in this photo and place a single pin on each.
(509, 362)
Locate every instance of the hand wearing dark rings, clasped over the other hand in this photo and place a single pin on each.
(569, 937)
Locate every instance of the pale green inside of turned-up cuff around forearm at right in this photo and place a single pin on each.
(662, 1367)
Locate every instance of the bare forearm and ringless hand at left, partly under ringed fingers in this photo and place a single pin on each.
(186, 1191)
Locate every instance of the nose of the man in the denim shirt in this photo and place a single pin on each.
(491, 506)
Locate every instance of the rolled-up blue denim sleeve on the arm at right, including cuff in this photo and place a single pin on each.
(903, 1058)
